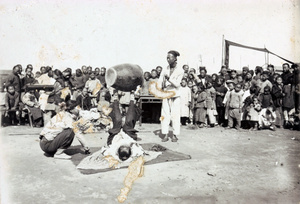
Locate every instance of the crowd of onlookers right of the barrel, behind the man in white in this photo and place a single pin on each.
(259, 99)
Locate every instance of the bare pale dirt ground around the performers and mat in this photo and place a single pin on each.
(227, 166)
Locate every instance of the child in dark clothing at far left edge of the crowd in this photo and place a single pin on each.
(12, 99)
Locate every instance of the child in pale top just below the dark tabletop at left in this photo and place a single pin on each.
(31, 103)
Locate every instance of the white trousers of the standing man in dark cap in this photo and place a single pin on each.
(170, 111)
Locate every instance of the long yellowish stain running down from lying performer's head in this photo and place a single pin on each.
(135, 170)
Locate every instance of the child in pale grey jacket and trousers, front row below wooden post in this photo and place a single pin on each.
(235, 107)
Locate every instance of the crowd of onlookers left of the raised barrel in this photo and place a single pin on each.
(84, 89)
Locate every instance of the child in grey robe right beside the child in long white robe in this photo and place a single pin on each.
(200, 107)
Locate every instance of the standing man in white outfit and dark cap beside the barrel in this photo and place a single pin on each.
(170, 80)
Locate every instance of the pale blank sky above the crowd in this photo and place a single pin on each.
(100, 33)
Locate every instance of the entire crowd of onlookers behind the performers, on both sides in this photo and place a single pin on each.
(248, 99)
